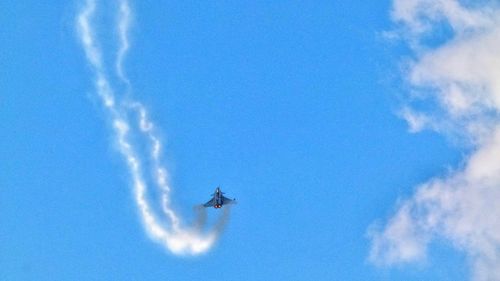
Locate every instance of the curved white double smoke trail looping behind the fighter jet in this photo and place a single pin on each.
(172, 234)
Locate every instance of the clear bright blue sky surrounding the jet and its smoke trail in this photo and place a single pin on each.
(293, 108)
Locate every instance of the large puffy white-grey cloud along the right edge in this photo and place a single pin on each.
(461, 76)
